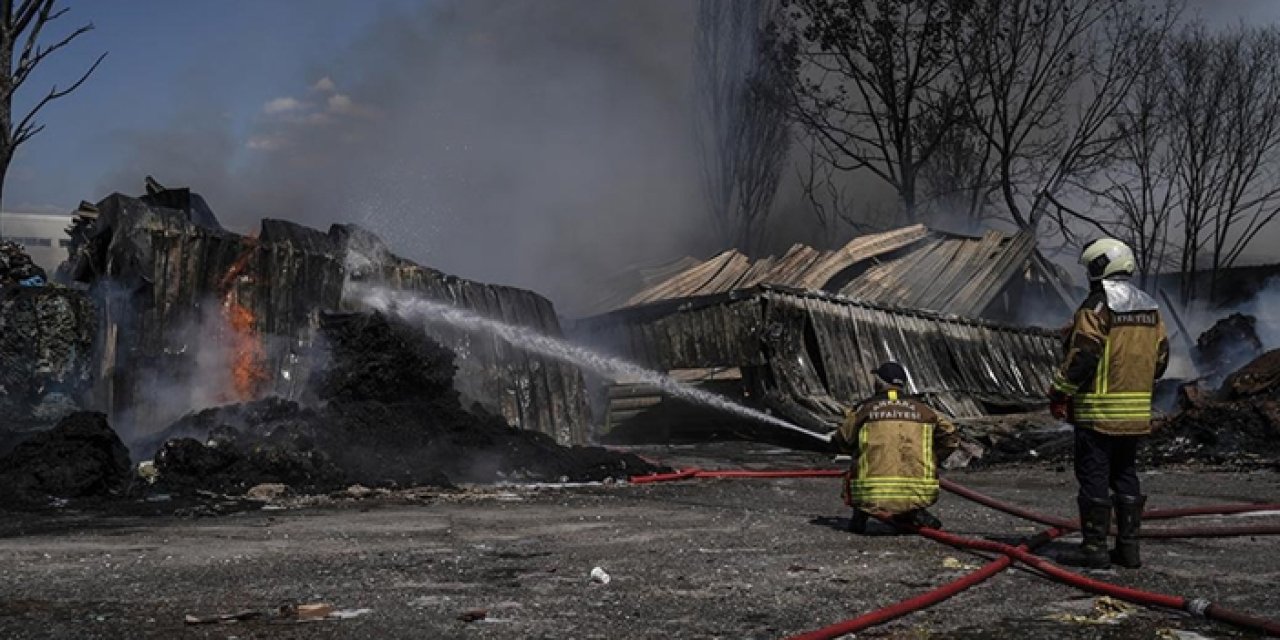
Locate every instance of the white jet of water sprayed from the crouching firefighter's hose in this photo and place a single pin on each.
(420, 310)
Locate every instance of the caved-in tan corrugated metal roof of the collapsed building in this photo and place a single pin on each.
(912, 268)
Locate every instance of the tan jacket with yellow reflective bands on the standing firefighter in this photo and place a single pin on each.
(1116, 353)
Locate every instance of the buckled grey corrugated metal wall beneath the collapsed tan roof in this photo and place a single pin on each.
(811, 354)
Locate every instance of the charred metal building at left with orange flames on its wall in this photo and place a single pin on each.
(172, 282)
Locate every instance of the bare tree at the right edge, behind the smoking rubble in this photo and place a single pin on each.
(1224, 104)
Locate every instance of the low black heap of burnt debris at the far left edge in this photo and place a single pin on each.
(81, 458)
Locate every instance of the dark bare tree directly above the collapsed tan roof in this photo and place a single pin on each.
(866, 77)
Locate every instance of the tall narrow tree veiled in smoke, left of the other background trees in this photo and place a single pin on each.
(743, 122)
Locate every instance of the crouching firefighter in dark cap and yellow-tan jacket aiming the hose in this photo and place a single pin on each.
(893, 437)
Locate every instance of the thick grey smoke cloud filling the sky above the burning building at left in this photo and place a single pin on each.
(545, 145)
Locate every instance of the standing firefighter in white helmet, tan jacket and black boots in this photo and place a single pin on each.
(1116, 353)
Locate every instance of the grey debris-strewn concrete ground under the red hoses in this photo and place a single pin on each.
(706, 559)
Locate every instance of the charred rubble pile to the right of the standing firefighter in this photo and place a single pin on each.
(1238, 424)
